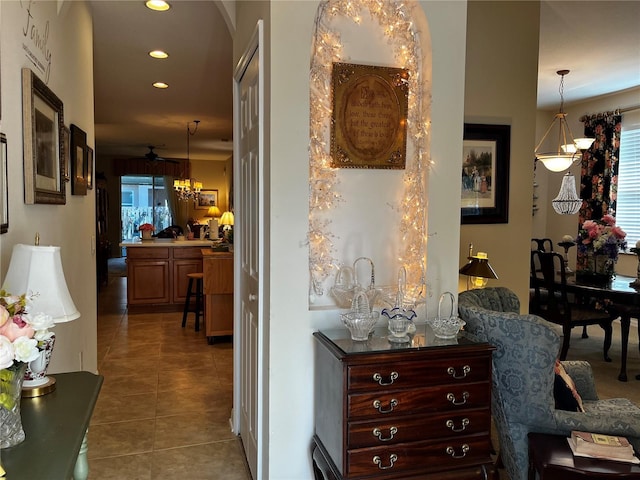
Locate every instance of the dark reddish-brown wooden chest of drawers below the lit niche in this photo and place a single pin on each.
(386, 411)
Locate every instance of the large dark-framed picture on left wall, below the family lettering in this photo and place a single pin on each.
(43, 126)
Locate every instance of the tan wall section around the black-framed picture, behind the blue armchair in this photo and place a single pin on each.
(501, 88)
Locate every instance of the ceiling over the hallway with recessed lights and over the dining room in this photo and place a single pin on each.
(599, 41)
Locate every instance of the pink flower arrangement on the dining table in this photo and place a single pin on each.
(603, 237)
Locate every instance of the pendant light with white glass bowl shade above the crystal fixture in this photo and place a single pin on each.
(567, 147)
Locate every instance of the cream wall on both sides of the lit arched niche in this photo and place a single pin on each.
(290, 346)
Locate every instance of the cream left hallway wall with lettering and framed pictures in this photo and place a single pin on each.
(69, 226)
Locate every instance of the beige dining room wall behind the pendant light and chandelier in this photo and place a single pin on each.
(550, 224)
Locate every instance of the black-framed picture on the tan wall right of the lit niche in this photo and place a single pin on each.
(485, 173)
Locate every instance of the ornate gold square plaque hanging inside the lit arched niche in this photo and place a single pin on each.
(369, 119)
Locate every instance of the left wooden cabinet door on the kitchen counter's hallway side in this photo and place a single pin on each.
(148, 282)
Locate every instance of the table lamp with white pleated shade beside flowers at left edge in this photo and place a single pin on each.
(37, 270)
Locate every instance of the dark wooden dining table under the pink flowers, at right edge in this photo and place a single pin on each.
(625, 300)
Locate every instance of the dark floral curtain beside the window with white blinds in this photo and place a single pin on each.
(599, 172)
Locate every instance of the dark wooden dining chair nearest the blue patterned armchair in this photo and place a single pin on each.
(552, 302)
